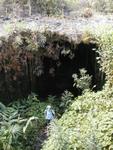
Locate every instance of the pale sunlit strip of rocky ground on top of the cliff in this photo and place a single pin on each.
(64, 26)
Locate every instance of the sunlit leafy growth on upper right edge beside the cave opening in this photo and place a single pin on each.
(104, 38)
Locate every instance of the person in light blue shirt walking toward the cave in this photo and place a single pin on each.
(49, 114)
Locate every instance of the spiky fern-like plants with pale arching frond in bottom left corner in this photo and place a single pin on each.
(12, 128)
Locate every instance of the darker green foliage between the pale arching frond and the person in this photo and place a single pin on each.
(28, 108)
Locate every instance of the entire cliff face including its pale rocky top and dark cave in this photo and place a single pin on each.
(42, 55)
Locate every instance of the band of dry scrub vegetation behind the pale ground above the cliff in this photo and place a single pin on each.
(55, 7)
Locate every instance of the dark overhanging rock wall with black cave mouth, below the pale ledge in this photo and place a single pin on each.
(44, 62)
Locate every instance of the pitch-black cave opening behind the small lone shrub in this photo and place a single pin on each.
(57, 76)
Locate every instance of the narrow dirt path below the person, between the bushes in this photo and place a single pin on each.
(41, 138)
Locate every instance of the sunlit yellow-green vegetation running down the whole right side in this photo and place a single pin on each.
(88, 124)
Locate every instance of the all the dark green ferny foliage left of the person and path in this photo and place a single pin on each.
(20, 123)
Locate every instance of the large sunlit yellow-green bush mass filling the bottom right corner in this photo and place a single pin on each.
(87, 125)
